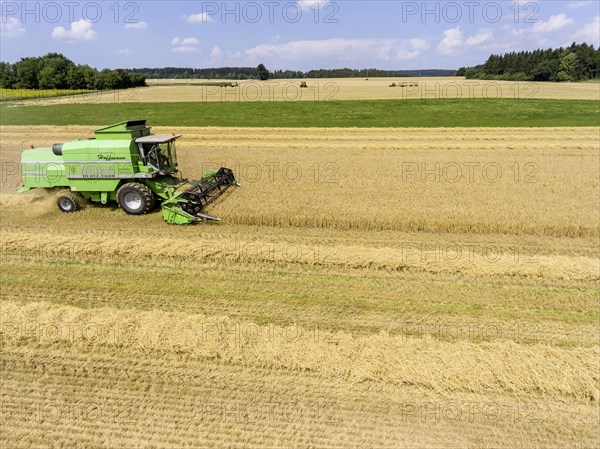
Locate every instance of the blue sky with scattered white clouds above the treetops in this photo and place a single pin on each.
(298, 35)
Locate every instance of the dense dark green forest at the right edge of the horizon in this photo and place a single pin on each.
(575, 63)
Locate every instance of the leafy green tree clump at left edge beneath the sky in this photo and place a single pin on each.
(55, 71)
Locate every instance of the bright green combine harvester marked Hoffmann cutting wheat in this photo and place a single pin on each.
(125, 163)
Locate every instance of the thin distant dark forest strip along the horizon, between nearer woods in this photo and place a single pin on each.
(242, 73)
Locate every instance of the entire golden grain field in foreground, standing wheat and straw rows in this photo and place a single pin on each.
(367, 288)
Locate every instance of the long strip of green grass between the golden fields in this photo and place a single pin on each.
(346, 114)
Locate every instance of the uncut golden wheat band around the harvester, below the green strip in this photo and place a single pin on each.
(445, 180)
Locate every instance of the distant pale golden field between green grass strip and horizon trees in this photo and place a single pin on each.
(321, 89)
